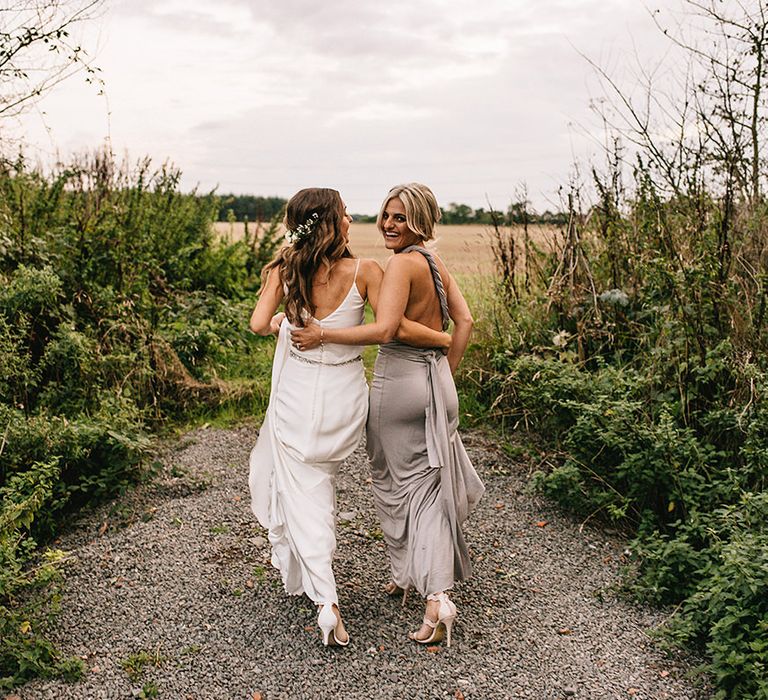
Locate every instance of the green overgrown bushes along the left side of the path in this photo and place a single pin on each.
(119, 311)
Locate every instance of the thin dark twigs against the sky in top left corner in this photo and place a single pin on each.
(38, 50)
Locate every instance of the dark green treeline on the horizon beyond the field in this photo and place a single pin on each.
(236, 207)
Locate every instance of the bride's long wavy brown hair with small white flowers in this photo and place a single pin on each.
(321, 247)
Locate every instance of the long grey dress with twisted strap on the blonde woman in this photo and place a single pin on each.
(424, 484)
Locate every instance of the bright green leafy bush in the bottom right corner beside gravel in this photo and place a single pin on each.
(723, 558)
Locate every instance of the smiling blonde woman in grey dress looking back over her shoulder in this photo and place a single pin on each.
(424, 485)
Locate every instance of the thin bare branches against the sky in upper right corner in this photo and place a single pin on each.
(706, 125)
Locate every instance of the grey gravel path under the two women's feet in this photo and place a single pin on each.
(174, 583)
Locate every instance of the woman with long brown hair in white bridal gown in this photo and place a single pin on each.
(319, 397)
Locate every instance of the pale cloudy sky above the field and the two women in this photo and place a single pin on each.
(477, 99)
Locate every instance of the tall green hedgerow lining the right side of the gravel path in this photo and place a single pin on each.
(639, 355)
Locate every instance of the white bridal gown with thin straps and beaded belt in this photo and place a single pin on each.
(317, 411)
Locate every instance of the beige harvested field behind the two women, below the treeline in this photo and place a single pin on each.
(465, 249)
